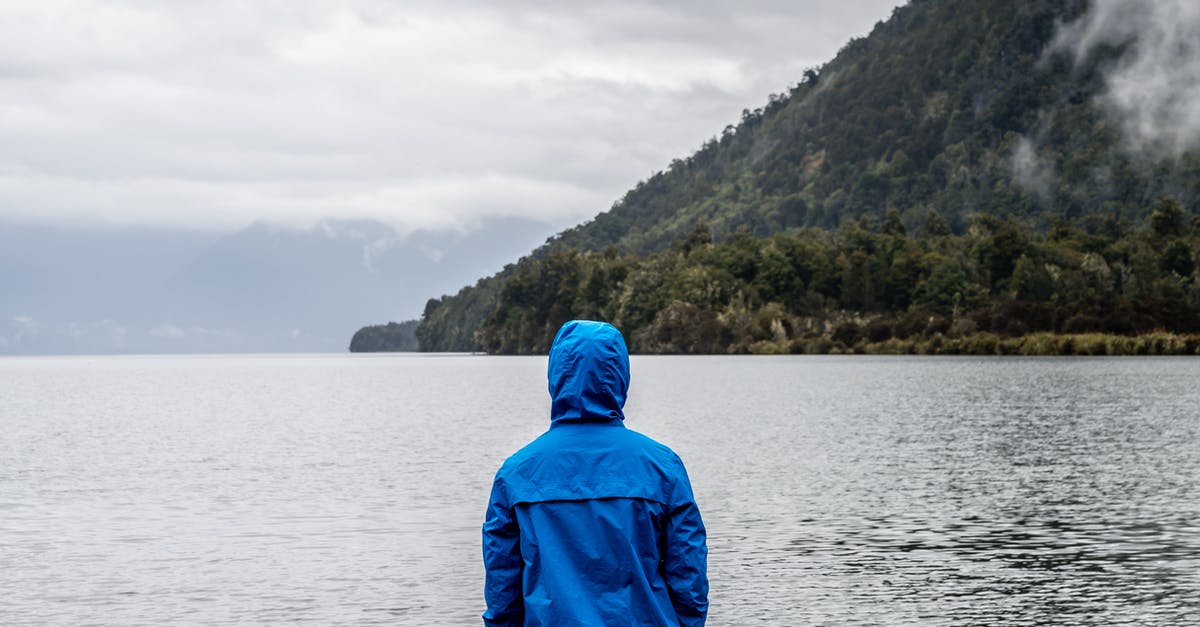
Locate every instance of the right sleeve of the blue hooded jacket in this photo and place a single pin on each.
(686, 563)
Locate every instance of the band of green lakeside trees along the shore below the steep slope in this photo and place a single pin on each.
(1096, 285)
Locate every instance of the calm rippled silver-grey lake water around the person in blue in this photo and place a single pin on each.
(837, 491)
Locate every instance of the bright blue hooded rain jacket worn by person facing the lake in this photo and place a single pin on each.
(593, 524)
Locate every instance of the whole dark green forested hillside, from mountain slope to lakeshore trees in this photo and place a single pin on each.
(970, 111)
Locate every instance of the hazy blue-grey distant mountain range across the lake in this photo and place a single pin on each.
(263, 289)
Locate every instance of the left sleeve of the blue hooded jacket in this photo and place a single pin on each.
(502, 560)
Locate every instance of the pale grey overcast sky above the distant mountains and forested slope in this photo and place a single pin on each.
(422, 115)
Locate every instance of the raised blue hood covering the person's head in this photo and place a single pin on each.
(589, 373)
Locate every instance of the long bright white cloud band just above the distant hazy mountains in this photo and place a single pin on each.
(436, 202)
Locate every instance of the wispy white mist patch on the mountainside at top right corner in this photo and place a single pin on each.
(1155, 86)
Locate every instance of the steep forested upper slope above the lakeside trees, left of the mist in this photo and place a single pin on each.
(928, 111)
